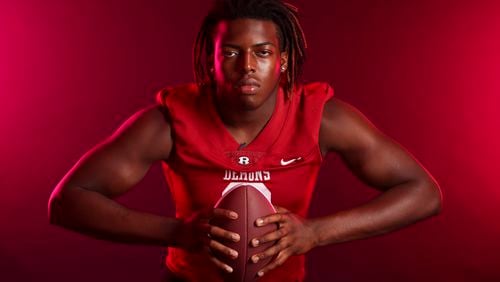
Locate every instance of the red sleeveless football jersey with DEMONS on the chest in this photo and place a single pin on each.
(285, 157)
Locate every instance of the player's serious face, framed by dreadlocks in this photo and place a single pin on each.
(247, 62)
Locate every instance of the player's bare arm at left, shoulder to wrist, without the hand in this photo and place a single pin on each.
(83, 199)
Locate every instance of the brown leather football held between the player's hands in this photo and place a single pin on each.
(250, 202)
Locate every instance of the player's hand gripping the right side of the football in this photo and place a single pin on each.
(294, 236)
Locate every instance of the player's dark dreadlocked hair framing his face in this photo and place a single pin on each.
(283, 15)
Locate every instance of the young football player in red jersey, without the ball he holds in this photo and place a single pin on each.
(246, 120)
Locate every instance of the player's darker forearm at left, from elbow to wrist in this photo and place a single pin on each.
(92, 213)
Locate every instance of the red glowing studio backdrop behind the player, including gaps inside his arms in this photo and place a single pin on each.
(425, 72)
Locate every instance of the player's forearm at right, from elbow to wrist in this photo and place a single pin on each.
(395, 208)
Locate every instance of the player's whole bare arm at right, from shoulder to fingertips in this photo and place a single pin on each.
(409, 193)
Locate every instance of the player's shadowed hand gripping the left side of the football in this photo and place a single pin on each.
(196, 234)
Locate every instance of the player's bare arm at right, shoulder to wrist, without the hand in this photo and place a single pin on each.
(409, 191)
